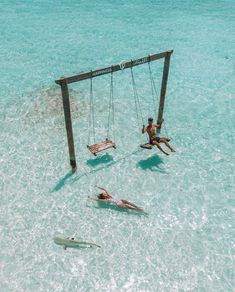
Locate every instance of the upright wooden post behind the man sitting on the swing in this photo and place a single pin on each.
(163, 88)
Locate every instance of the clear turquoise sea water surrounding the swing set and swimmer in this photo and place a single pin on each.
(187, 241)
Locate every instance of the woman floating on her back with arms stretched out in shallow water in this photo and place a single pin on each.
(105, 196)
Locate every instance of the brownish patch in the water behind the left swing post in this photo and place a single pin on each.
(44, 104)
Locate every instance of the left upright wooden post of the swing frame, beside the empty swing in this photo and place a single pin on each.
(68, 122)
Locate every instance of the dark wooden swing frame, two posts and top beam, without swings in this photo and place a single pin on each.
(64, 81)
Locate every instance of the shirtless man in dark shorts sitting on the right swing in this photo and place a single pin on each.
(151, 129)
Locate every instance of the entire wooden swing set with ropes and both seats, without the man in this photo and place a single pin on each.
(95, 148)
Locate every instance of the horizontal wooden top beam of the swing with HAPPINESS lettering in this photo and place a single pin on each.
(123, 65)
